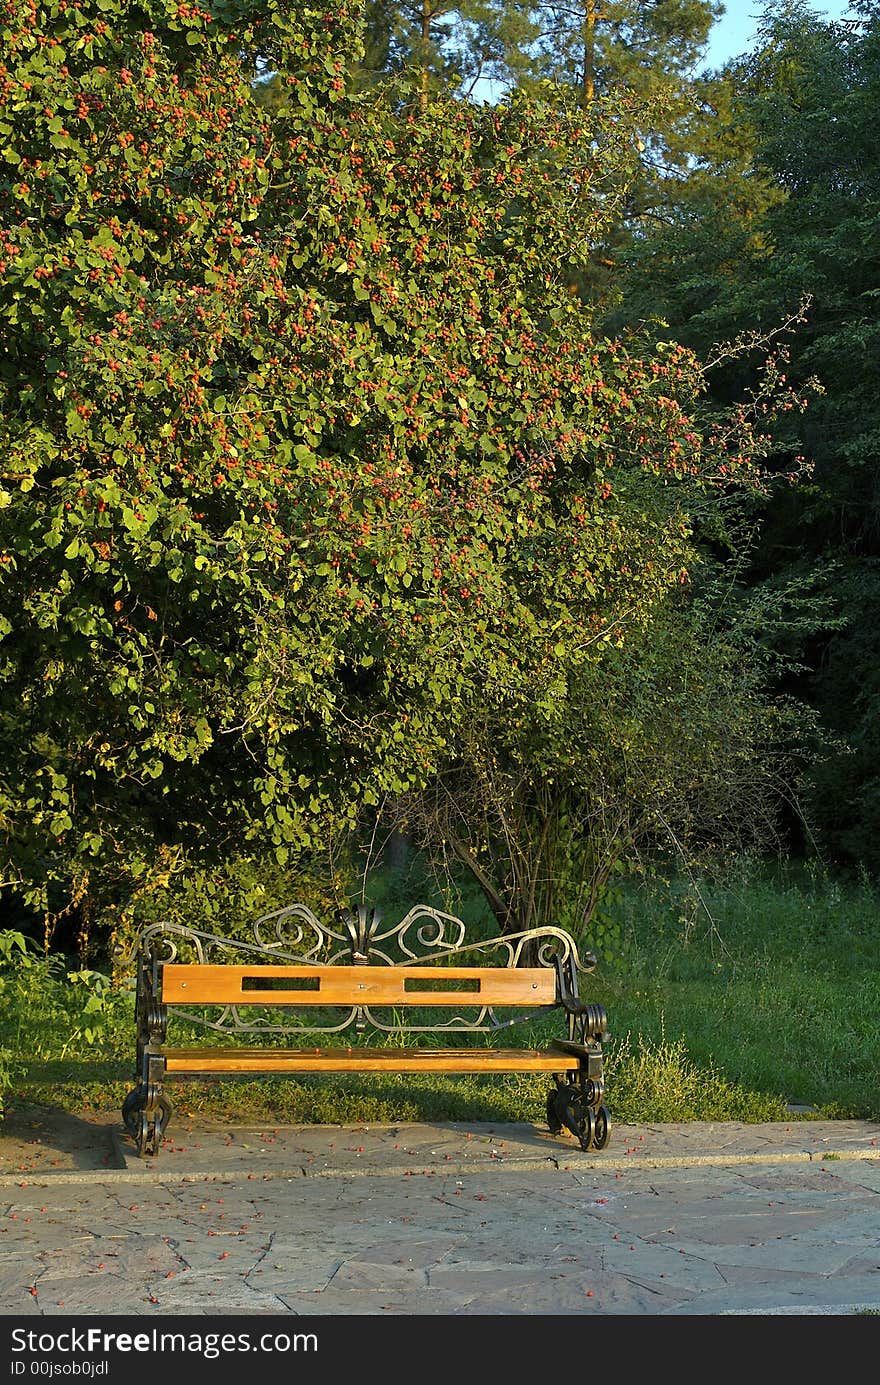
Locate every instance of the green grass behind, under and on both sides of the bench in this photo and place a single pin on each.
(728, 1001)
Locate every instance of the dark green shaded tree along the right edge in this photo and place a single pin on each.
(803, 226)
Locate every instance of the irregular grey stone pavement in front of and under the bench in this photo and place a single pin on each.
(441, 1221)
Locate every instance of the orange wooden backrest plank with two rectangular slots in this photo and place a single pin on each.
(369, 985)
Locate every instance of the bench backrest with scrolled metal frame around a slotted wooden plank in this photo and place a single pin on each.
(299, 976)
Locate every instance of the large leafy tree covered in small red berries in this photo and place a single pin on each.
(307, 454)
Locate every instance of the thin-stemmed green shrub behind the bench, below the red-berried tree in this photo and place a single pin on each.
(669, 749)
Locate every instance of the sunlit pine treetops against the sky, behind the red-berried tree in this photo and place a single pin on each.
(646, 52)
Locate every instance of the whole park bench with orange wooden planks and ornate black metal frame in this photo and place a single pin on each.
(394, 994)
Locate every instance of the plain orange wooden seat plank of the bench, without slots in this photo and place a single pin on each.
(364, 1060)
